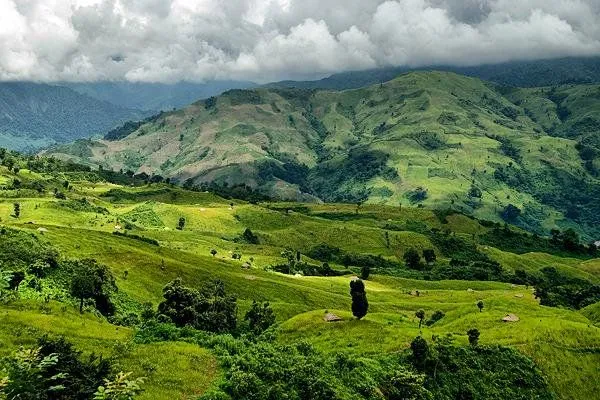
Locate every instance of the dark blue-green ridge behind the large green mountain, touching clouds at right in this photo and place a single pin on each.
(574, 70)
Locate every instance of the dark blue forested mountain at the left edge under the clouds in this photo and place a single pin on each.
(37, 115)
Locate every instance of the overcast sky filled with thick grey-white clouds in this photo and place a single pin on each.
(266, 40)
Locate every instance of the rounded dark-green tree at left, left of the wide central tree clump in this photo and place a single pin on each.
(90, 280)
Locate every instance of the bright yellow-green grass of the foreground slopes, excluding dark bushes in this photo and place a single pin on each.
(562, 342)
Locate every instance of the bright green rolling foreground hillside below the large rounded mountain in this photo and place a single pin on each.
(67, 213)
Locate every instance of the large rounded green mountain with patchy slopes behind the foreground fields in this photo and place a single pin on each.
(527, 156)
